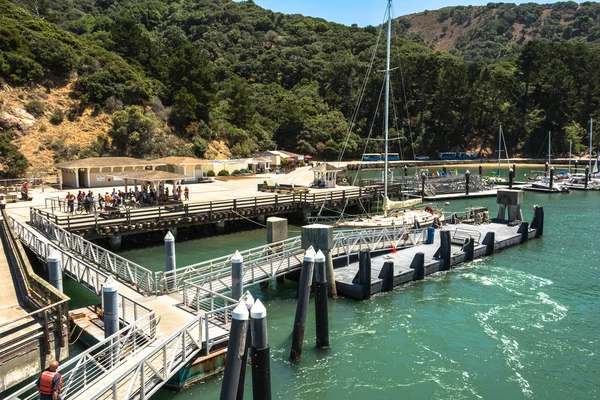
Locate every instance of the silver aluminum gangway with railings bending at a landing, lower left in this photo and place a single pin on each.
(157, 339)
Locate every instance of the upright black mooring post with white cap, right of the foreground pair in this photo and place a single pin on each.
(261, 362)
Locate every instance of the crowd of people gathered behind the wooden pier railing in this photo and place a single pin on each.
(89, 202)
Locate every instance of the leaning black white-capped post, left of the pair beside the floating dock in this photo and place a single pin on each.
(302, 305)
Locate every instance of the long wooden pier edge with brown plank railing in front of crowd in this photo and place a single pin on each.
(131, 221)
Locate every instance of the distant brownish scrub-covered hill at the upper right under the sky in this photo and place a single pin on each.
(495, 31)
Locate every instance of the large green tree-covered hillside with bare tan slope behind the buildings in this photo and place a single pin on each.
(221, 78)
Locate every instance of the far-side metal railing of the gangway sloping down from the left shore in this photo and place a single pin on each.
(141, 278)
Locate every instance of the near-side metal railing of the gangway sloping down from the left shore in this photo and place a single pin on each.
(81, 271)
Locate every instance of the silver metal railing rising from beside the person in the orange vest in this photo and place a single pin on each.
(97, 363)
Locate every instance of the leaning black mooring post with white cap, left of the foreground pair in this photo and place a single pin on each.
(235, 349)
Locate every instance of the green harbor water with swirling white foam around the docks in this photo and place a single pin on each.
(522, 324)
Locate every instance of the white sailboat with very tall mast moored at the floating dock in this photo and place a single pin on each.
(395, 213)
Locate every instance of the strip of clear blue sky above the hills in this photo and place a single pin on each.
(363, 12)
